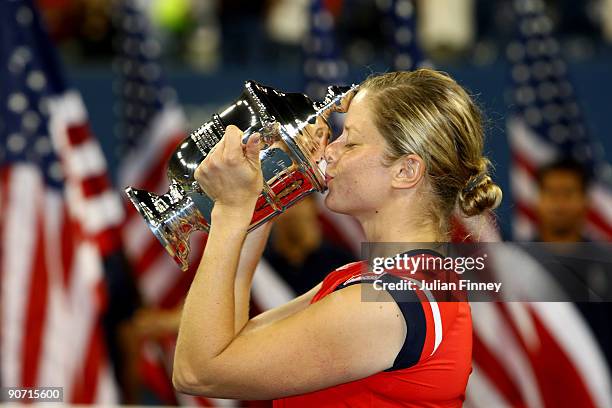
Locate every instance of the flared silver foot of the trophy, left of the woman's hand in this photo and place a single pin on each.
(172, 217)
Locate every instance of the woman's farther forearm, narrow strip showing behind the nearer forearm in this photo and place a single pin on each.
(252, 250)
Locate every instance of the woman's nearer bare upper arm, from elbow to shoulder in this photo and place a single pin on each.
(333, 341)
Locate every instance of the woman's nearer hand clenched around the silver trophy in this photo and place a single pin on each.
(231, 173)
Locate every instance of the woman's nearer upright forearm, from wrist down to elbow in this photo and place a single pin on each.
(208, 319)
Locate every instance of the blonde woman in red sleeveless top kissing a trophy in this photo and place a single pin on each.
(410, 151)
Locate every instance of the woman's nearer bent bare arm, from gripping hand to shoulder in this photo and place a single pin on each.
(336, 340)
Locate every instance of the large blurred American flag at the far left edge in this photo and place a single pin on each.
(58, 220)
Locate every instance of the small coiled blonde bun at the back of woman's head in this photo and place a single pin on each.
(479, 194)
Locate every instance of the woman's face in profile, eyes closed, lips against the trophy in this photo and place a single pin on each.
(358, 181)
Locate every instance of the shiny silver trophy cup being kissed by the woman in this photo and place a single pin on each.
(294, 132)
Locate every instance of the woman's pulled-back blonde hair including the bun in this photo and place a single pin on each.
(427, 113)
